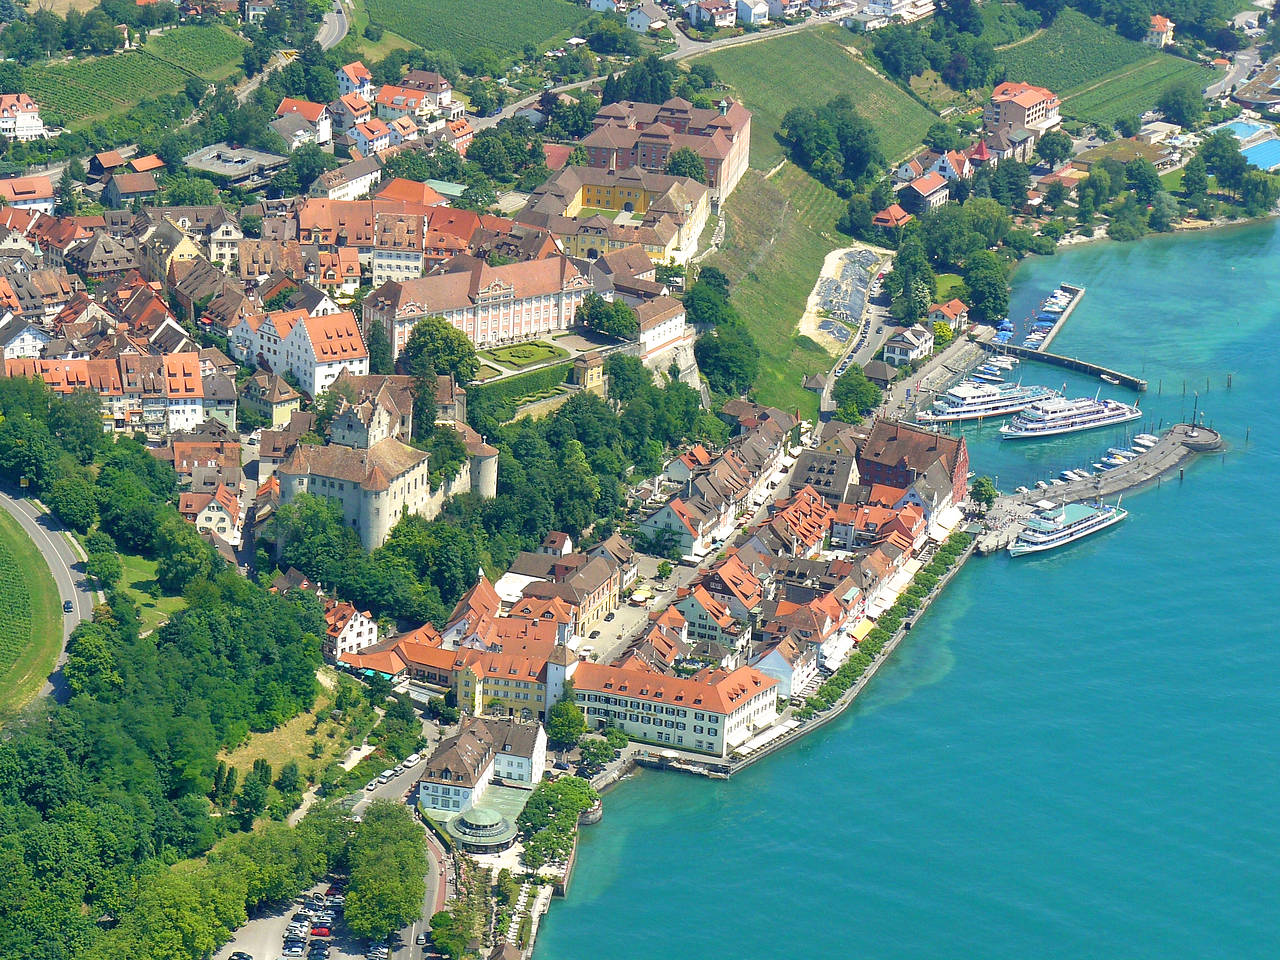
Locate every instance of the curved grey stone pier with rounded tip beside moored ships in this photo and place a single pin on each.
(1182, 442)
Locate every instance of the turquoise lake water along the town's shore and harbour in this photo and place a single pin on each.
(1073, 756)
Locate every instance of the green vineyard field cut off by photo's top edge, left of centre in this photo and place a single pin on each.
(467, 26)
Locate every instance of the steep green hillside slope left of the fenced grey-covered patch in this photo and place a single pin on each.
(778, 234)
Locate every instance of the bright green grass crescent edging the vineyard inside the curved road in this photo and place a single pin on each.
(22, 678)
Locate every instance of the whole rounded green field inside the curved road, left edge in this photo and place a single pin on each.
(31, 627)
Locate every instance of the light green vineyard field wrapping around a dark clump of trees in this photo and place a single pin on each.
(812, 67)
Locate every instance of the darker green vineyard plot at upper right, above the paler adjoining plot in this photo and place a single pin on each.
(1075, 53)
